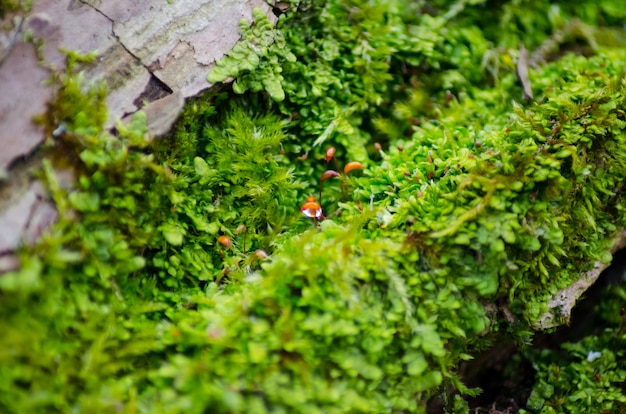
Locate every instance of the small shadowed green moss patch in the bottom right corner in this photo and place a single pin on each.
(585, 376)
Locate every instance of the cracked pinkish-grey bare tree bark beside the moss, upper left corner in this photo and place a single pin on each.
(152, 54)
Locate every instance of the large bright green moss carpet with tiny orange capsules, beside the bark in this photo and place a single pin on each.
(468, 200)
